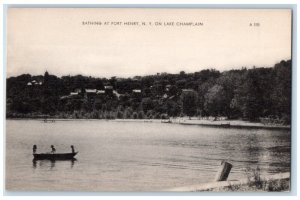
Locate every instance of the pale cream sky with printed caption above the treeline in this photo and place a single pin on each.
(130, 42)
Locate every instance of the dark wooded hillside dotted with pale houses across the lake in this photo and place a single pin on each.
(252, 94)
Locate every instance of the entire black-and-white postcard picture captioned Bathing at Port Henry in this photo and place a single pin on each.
(148, 100)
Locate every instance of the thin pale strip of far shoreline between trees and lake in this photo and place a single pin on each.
(222, 123)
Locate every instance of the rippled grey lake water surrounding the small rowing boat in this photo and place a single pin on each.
(136, 156)
